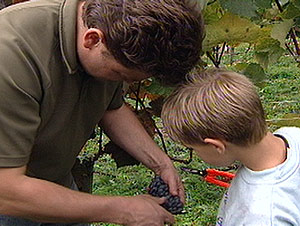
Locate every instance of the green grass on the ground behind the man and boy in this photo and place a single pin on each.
(280, 97)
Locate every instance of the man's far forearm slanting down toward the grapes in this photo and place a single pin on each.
(123, 127)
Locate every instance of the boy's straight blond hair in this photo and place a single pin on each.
(215, 104)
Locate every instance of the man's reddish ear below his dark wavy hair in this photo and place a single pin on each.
(92, 38)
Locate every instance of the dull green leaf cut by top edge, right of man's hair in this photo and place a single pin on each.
(245, 8)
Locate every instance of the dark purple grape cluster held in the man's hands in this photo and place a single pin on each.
(159, 188)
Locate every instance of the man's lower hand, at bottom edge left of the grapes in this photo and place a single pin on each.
(145, 210)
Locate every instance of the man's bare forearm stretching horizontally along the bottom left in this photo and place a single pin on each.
(45, 201)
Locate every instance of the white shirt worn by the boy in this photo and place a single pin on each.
(262, 198)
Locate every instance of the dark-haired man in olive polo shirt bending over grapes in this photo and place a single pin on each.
(62, 64)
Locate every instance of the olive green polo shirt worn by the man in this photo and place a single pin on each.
(48, 104)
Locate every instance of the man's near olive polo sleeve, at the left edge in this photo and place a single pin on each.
(20, 93)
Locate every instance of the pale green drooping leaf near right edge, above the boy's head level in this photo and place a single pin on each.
(281, 30)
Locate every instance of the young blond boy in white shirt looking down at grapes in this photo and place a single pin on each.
(219, 114)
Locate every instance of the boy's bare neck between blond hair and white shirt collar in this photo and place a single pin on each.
(268, 153)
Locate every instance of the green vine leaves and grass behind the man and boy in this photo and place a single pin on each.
(256, 37)
